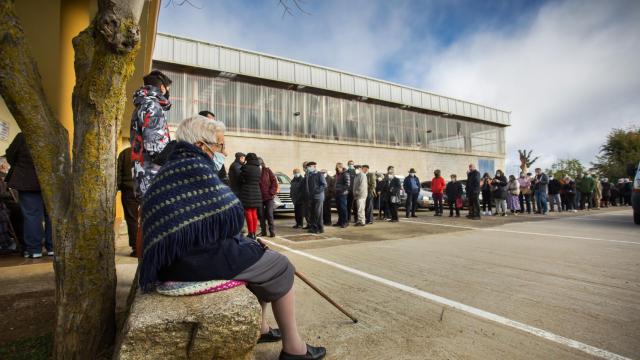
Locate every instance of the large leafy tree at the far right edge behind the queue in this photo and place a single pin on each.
(619, 154)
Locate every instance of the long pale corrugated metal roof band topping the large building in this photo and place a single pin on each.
(178, 50)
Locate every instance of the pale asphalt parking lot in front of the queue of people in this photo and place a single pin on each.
(565, 286)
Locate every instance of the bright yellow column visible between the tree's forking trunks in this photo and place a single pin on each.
(75, 16)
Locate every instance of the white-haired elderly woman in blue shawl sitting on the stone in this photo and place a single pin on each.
(191, 226)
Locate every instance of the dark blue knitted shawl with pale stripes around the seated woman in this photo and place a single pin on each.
(186, 206)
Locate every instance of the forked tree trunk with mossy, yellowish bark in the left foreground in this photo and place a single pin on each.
(79, 195)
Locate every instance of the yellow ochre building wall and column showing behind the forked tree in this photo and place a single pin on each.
(50, 26)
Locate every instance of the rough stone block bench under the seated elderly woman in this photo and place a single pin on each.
(222, 325)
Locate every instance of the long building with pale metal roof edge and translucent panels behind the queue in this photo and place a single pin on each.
(289, 112)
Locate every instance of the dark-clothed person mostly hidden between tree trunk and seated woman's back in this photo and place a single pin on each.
(130, 203)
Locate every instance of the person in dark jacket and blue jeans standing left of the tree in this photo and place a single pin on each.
(24, 179)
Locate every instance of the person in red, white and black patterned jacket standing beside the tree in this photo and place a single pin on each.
(149, 128)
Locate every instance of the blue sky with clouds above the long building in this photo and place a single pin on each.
(563, 67)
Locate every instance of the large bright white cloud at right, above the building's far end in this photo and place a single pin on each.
(568, 76)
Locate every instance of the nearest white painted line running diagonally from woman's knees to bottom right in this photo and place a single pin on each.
(591, 350)
